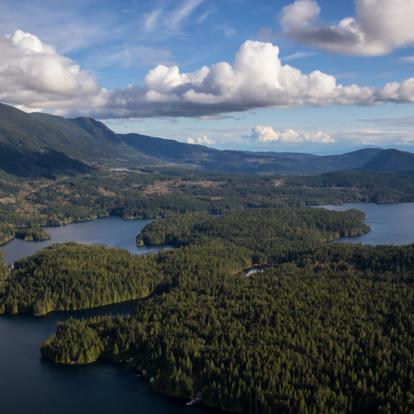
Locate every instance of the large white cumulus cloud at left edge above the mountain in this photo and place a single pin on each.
(34, 75)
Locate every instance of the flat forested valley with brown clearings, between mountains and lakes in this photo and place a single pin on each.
(159, 193)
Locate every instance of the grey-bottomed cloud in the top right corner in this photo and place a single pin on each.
(378, 27)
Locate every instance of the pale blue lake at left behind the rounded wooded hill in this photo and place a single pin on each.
(112, 231)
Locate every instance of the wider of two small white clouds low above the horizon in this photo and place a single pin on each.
(266, 134)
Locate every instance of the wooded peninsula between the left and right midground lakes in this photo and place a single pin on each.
(269, 233)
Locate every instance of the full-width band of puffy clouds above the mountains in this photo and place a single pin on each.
(35, 76)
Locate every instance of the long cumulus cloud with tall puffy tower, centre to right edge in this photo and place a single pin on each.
(257, 78)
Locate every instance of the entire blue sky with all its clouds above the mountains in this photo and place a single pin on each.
(316, 76)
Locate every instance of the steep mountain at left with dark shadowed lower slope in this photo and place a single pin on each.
(38, 144)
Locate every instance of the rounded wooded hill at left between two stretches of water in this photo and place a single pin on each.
(72, 276)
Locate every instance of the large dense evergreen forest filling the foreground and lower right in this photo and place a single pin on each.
(306, 338)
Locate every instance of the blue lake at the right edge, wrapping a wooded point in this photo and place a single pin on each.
(390, 223)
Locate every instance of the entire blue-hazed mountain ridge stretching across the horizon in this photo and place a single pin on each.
(37, 144)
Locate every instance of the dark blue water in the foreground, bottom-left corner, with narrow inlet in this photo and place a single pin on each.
(30, 385)
